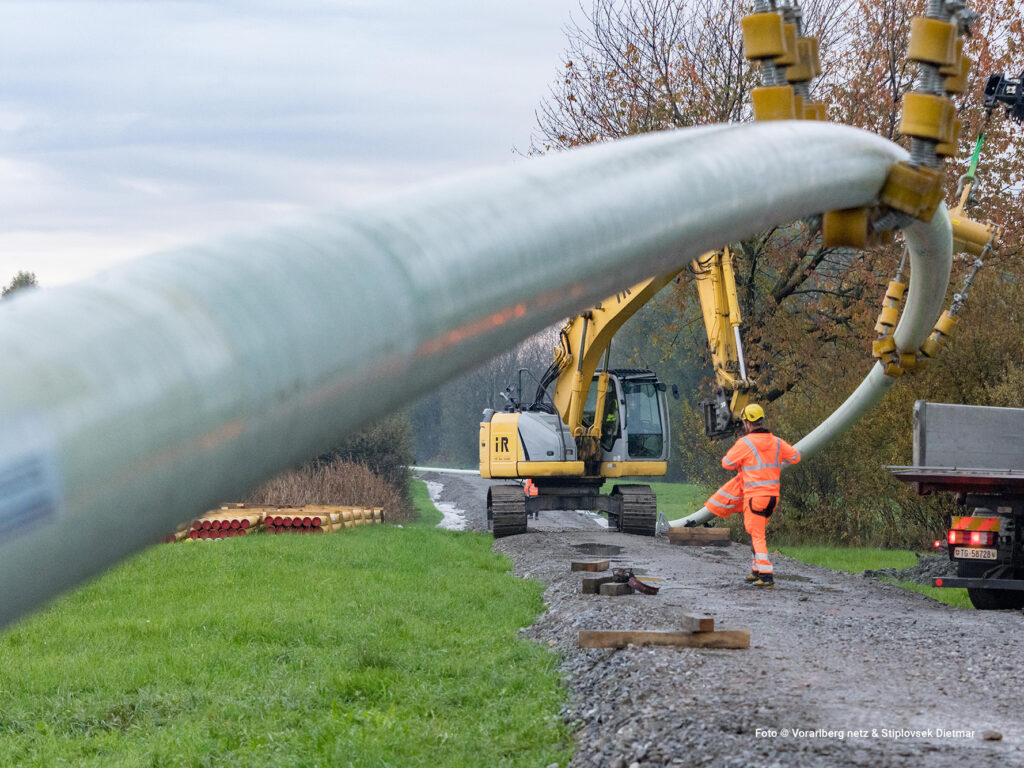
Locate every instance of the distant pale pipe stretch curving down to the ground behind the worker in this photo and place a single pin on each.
(931, 248)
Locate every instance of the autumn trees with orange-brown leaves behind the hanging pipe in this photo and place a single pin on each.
(642, 66)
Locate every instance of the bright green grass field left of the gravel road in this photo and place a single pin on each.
(377, 647)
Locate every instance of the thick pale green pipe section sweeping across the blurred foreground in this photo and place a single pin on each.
(135, 400)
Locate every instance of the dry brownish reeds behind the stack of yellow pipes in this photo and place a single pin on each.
(338, 483)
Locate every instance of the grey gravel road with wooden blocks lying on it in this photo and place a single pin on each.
(842, 670)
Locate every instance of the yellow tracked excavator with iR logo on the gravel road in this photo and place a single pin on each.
(603, 423)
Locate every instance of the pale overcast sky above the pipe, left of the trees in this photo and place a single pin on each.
(131, 126)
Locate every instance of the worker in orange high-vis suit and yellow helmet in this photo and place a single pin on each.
(758, 458)
